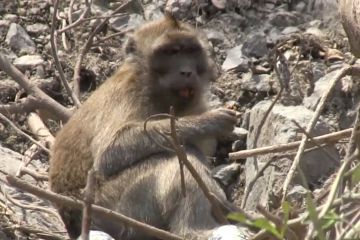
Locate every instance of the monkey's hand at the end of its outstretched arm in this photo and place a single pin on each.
(219, 122)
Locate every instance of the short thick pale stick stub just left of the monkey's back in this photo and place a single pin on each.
(38, 128)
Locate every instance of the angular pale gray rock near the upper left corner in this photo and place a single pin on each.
(18, 39)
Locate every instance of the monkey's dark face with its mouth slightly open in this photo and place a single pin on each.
(179, 70)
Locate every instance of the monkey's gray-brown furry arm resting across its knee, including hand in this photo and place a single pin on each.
(131, 144)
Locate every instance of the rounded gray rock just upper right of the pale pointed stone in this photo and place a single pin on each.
(255, 46)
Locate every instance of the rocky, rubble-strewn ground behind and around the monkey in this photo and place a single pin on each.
(247, 39)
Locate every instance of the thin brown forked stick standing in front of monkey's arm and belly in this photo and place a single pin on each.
(181, 154)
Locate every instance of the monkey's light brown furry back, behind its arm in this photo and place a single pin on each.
(90, 127)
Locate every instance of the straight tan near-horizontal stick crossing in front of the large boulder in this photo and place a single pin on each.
(327, 138)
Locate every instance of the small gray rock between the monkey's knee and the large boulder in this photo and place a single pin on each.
(226, 173)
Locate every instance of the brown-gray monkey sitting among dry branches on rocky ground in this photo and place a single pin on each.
(167, 64)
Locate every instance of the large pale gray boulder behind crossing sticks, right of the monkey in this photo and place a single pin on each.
(279, 129)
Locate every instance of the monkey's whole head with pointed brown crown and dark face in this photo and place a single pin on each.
(175, 60)
